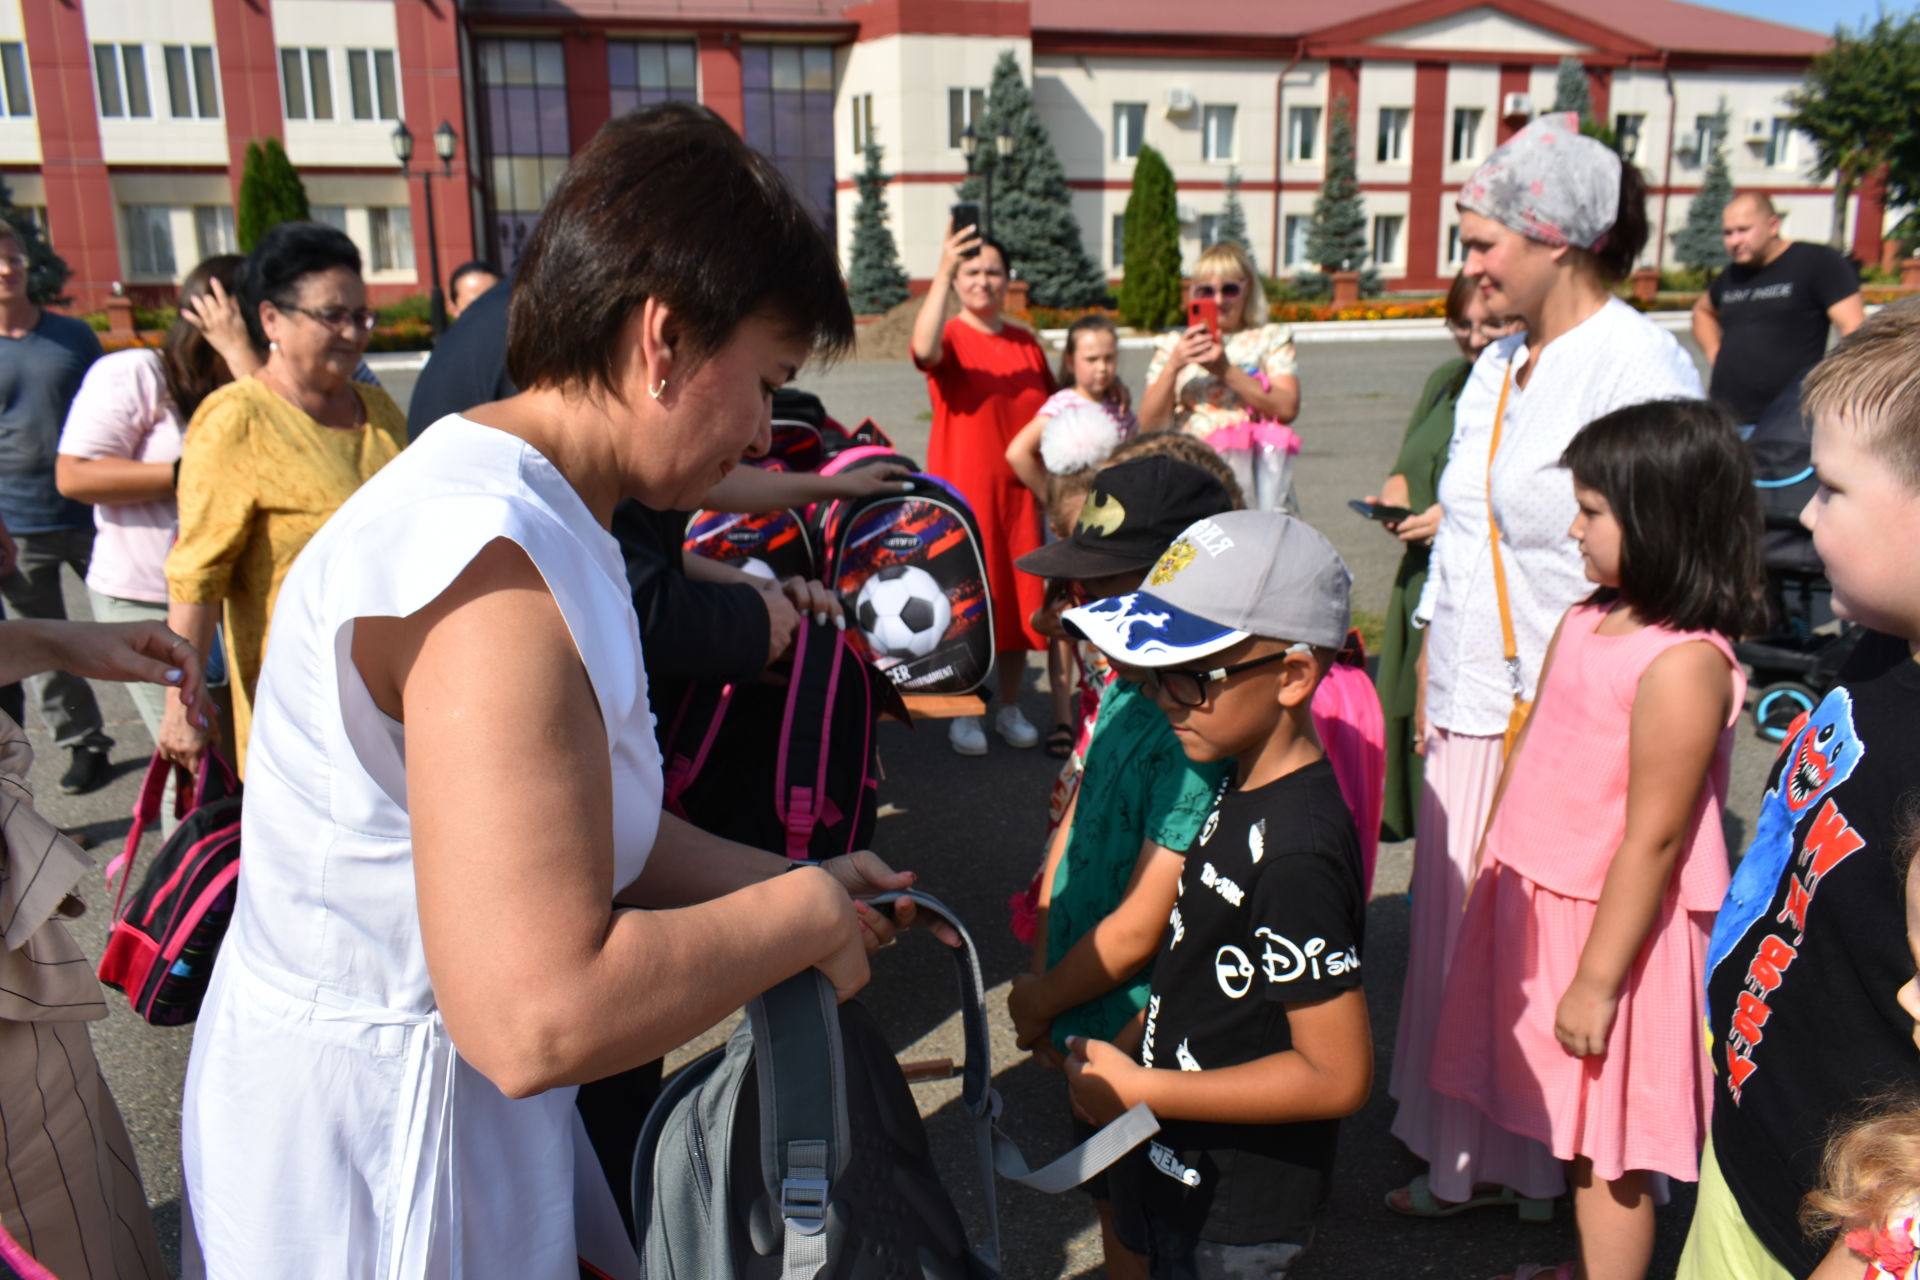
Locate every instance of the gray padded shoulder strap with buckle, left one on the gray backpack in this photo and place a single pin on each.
(804, 1114)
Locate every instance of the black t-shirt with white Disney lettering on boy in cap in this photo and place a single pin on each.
(1270, 913)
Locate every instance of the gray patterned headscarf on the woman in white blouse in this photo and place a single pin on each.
(1550, 185)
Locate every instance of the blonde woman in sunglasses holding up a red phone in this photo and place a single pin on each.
(1201, 383)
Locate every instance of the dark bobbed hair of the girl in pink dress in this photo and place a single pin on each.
(1681, 488)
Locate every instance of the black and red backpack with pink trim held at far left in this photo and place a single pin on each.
(166, 936)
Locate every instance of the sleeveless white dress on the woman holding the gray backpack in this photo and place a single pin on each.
(329, 1126)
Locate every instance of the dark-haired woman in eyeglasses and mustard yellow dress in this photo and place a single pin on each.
(268, 460)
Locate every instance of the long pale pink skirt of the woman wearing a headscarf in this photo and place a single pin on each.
(1458, 1143)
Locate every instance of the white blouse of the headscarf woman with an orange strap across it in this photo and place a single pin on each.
(1612, 360)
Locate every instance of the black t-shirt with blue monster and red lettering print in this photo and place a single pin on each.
(1810, 951)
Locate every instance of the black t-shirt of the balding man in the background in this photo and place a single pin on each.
(1773, 323)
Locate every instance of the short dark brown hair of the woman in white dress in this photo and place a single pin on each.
(667, 202)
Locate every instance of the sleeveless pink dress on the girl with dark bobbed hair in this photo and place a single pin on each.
(1646, 1101)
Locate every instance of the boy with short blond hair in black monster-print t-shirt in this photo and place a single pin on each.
(1810, 947)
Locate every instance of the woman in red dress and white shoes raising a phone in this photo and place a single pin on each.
(988, 379)
